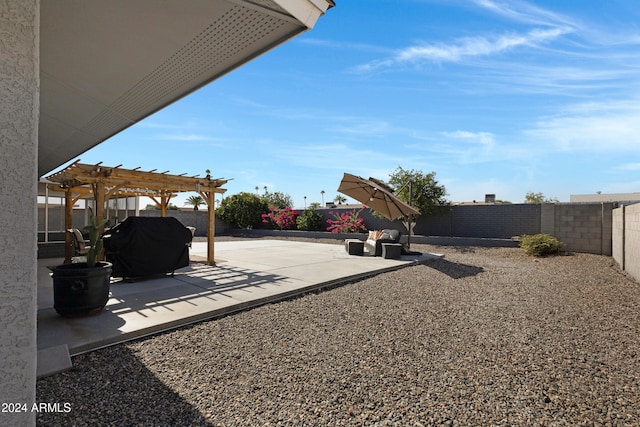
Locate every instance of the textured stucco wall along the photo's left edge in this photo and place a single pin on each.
(19, 105)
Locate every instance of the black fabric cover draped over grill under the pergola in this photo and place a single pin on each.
(141, 246)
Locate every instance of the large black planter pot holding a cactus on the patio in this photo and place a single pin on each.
(79, 290)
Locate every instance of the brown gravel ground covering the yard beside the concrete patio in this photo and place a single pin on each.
(485, 336)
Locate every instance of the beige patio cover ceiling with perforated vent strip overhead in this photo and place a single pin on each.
(106, 65)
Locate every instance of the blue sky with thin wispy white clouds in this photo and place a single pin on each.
(501, 97)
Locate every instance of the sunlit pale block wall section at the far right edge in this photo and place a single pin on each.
(626, 238)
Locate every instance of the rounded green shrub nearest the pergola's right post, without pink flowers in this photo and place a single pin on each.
(242, 210)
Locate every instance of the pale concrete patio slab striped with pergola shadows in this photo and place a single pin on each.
(249, 273)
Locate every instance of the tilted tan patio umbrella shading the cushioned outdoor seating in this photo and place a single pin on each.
(379, 197)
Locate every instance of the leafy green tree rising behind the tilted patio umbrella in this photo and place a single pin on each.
(428, 196)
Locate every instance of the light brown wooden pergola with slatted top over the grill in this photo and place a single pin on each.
(80, 180)
